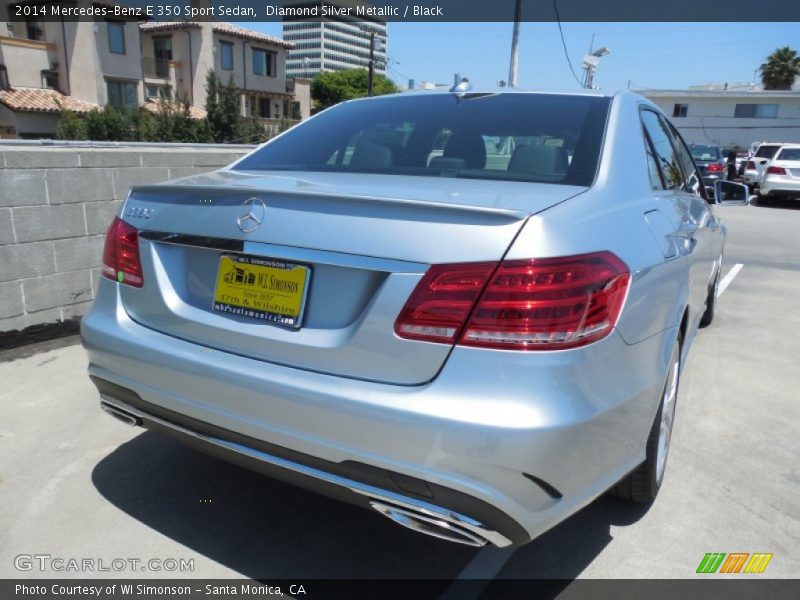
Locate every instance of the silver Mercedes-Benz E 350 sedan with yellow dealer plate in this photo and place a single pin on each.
(466, 311)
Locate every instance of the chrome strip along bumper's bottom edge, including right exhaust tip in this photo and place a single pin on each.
(469, 529)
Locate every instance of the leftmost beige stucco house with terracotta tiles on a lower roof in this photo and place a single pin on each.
(46, 65)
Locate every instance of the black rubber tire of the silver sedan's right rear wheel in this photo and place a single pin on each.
(642, 484)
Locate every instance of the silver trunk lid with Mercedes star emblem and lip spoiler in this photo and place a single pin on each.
(366, 241)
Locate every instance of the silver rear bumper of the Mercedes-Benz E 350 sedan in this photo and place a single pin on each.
(508, 443)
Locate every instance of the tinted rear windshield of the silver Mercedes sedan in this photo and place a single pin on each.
(521, 137)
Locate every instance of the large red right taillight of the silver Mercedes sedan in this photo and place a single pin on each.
(540, 304)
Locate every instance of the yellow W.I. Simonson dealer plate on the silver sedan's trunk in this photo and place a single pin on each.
(261, 288)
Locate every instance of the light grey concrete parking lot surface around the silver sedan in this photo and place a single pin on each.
(76, 484)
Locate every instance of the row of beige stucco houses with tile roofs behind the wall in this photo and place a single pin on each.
(83, 65)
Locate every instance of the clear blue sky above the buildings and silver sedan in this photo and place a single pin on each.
(651, 55)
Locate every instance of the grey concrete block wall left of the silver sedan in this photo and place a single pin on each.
(55, 205)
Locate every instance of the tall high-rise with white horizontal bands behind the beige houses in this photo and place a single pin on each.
(333, 40)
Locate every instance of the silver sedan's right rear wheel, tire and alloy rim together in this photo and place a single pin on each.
(642, 484)
